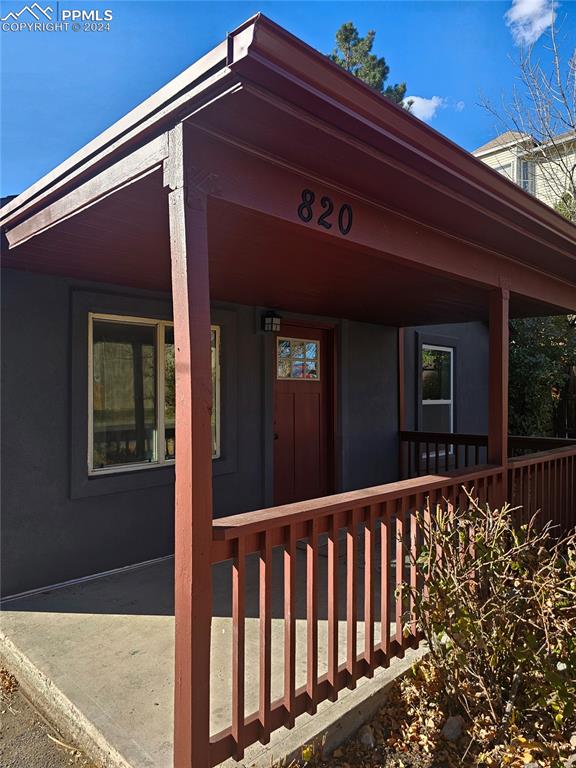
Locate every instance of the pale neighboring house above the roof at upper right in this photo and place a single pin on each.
(546, 170)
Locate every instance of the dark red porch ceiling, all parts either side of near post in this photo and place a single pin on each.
(255, 259)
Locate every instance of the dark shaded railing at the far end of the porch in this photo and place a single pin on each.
(423, 453)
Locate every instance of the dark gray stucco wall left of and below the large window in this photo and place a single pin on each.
(47, 536)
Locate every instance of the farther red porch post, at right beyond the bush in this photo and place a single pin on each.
(498, 385)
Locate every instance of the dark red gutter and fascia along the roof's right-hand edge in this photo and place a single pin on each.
(274, 52)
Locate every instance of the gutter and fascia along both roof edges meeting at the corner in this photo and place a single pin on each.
(262, 52)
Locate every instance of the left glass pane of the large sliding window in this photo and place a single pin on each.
(123, 393)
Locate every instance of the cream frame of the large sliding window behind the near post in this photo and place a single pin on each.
(160, 326)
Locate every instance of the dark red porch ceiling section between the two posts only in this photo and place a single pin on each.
(255, 259)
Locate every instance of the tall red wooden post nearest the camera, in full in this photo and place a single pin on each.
(193, 529)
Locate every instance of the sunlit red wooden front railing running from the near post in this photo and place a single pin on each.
(365, 537)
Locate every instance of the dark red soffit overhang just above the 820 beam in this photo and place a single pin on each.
(376, 166)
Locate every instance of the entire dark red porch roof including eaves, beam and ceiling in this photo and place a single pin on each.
(263, 97)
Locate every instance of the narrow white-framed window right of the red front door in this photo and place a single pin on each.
(437, 388)
